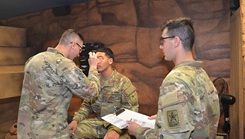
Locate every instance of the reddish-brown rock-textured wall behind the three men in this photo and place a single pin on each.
(131, 28)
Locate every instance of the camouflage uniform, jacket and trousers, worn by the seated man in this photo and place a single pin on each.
(115, 93)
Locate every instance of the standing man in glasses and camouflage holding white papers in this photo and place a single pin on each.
(188, 105)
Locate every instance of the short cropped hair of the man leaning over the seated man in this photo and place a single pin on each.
(68, 35)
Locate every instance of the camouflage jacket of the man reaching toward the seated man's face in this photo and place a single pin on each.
(49, 81)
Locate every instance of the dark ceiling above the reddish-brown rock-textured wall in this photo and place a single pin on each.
(11, 8)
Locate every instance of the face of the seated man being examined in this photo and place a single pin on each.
(104, 62)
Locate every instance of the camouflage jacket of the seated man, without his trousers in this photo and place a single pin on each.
(115, 93)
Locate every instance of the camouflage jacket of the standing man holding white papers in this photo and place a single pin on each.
(188, 105)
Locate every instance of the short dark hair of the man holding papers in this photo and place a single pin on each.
(183, 28)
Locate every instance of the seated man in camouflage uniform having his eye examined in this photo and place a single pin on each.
(116, 92)
